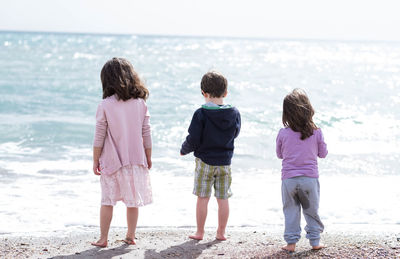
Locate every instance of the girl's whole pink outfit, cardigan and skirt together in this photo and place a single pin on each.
(123, 132)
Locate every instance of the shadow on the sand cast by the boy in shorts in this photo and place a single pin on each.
(189, 249)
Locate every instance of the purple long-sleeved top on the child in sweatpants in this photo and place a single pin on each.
(300, 156)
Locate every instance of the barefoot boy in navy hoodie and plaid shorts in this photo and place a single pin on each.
(212, 131)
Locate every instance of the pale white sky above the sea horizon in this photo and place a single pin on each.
(297, 19)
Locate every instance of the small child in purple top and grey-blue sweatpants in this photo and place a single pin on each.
(299, 144)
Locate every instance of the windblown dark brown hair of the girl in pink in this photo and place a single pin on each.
(118, 77)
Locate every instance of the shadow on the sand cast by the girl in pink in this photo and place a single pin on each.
(97, 253)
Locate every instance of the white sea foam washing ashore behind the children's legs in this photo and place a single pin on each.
(66, 201)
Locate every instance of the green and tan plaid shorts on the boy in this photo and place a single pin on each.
(207, 176)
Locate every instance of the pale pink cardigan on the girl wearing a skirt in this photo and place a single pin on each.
(123, 130)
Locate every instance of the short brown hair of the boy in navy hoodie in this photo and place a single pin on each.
(214, 83)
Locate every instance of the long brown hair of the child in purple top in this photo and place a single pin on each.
(298, 112)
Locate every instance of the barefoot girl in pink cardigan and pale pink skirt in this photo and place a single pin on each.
(122, 146)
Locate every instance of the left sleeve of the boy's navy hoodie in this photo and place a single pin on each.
(193, 140)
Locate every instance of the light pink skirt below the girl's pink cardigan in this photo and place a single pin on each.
(130, 184)
